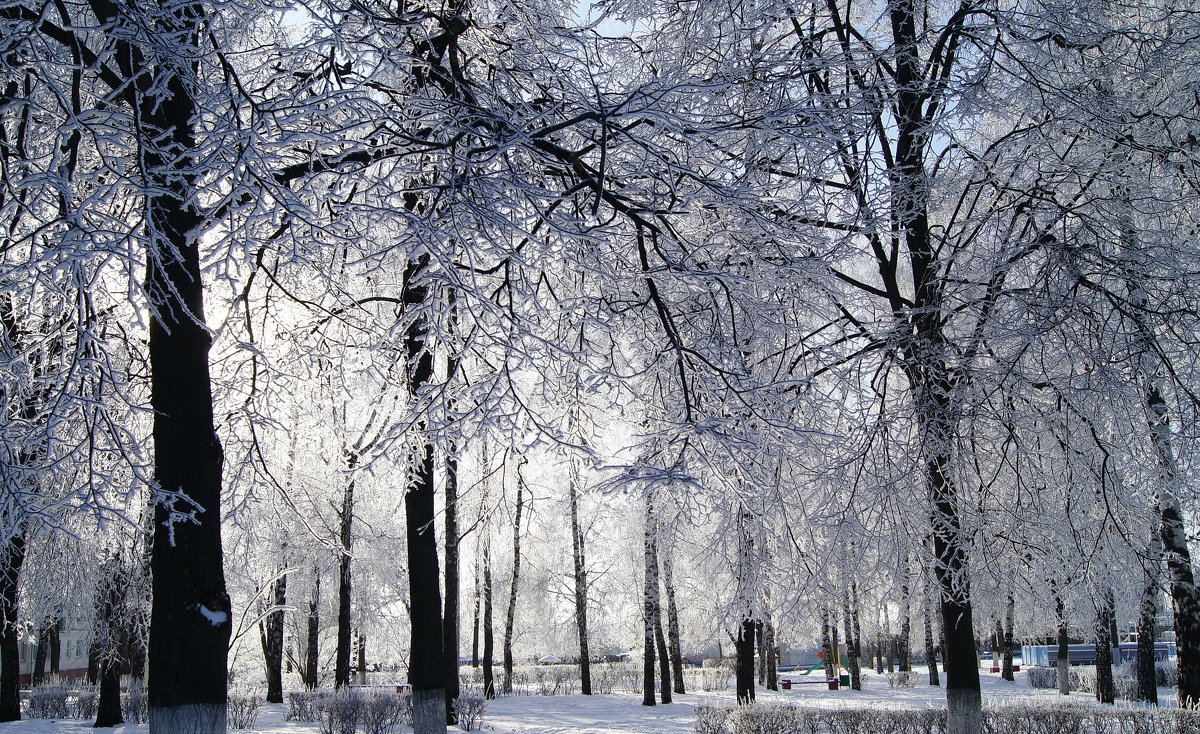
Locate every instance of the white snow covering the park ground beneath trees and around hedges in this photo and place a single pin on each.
(623, 713)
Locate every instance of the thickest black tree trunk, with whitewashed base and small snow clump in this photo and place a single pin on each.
(191, 617)
